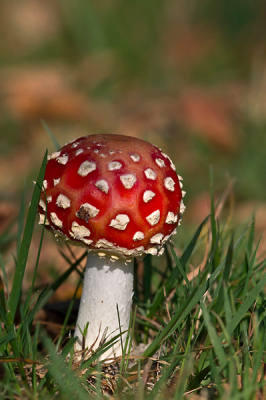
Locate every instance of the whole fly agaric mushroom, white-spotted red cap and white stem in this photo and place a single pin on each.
(121, 198)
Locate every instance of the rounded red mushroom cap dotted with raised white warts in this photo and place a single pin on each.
(112, 194)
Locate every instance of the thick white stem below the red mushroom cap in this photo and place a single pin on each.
(106, 284)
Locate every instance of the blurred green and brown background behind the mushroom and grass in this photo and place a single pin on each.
(188, 76)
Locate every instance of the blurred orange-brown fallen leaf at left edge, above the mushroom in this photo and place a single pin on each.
(44, 92)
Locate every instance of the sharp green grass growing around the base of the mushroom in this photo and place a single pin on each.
(206, 333)
